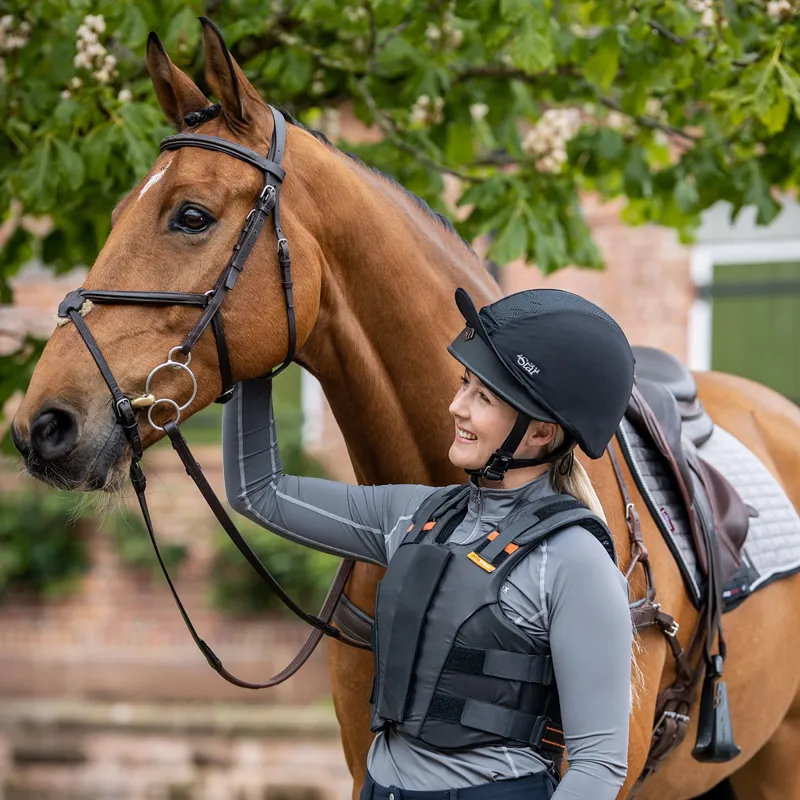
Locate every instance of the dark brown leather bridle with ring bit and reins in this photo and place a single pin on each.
(78, 303)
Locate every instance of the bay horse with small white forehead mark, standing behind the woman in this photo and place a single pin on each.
(374, 281)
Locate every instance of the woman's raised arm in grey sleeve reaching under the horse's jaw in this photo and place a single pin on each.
(350, 521)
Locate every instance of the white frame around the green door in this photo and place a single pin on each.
(704, 258)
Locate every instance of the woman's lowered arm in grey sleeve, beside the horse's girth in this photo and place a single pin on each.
(590, 635)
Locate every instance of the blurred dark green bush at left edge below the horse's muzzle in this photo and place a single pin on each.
(40, 549)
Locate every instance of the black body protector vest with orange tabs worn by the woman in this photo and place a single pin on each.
(450, 669)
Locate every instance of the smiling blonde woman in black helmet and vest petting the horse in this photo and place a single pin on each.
(501, 617)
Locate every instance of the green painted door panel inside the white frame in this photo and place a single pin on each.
(756, 323)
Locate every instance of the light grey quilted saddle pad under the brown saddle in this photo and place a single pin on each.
(772, 549)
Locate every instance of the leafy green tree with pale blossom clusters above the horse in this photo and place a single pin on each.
(673, 105)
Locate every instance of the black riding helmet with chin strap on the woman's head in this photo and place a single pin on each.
(553, 356)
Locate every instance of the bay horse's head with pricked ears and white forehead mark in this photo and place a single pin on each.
(174, 232)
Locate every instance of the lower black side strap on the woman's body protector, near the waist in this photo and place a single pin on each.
(538, 732)
